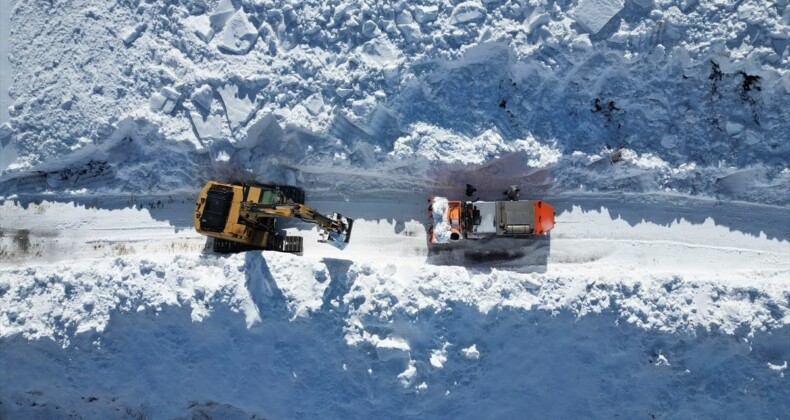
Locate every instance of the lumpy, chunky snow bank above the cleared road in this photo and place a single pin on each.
(693, 95)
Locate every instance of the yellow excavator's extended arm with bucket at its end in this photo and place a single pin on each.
(337, 228)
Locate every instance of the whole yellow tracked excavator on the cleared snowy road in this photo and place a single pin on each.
(241, 217)
